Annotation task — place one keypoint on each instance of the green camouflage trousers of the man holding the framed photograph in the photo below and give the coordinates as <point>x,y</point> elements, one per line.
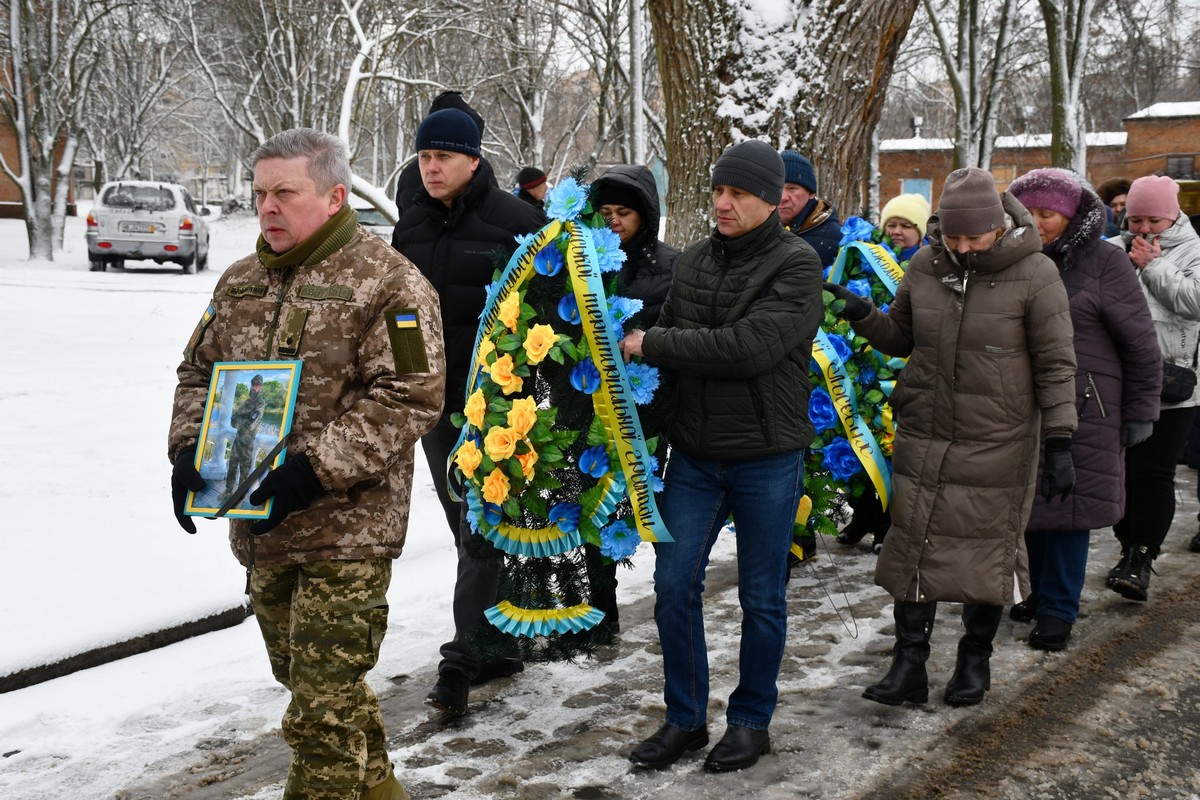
<point>323,624</point>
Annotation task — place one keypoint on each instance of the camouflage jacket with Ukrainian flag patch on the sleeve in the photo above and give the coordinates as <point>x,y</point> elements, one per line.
<point>359,410</point>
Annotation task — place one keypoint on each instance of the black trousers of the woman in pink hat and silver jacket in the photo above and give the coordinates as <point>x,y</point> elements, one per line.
<point>1150,482</point>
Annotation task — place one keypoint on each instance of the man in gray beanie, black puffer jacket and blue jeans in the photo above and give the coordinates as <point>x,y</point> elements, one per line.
<point>736,332</point>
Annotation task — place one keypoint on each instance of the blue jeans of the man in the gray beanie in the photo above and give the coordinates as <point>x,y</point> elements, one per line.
<point>763,495</point>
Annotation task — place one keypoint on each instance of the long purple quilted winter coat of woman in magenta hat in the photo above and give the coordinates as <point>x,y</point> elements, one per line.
<point>1120,369</point>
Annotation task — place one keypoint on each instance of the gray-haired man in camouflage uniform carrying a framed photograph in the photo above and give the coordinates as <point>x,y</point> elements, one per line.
<point>367,327</point>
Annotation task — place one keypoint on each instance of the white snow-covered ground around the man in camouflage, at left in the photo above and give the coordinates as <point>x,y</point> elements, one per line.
<point>92,554</point>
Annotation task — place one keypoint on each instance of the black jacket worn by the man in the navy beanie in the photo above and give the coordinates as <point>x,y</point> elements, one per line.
<point>458,250</point>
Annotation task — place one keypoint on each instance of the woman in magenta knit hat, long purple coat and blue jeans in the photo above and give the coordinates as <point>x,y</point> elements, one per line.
<point>1117,394</point>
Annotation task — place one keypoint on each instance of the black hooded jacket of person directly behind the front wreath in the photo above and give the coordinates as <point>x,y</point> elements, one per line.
<point>650,263</point>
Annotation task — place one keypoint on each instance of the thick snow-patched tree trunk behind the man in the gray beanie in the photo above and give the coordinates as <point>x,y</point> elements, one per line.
<point>811,76</point>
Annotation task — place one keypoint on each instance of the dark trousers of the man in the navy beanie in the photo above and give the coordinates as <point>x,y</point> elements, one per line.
<point>478,584</point>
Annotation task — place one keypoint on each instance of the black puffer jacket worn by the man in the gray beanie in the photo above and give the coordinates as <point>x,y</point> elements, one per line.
<point>737,332</point>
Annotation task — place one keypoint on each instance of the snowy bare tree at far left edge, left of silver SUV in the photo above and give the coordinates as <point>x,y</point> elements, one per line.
<point>50,56</point>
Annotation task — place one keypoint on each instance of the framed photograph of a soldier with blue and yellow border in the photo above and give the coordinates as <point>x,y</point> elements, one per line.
<point>248,417</point>
